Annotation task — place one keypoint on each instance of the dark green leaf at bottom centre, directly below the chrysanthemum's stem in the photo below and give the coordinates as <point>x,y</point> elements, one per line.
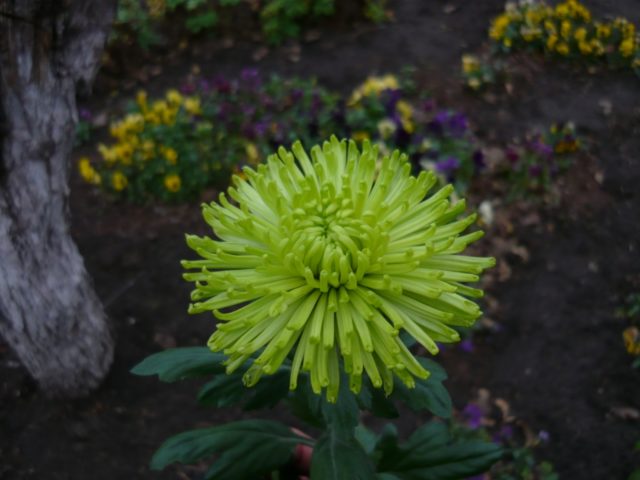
<point>338,456</point>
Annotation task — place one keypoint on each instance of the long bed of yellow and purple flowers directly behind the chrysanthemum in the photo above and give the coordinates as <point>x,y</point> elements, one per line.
<point>162,147</point>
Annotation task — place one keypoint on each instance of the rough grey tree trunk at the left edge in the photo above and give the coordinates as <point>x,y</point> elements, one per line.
<point>49,312</point>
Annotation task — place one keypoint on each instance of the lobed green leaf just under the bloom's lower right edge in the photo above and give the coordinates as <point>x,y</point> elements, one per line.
<point>429,394</point>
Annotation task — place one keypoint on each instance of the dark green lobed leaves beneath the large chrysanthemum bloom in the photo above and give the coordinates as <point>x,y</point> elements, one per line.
<point>345,449</point>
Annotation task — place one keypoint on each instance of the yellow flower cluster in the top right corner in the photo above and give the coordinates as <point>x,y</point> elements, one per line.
<point>567,30</point>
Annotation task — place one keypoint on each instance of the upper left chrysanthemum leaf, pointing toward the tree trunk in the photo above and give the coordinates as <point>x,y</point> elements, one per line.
<point>180,363</point>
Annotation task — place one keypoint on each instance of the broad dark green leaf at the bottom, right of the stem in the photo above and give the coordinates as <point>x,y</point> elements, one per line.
<point>431,454</point>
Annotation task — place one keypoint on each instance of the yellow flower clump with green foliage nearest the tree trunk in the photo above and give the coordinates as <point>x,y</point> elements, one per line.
<point>161,149</point>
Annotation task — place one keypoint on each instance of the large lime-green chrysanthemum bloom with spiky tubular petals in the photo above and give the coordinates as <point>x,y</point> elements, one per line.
<point>333,256</point>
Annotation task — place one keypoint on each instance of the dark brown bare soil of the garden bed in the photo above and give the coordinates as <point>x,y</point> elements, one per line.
<point>558,358</point>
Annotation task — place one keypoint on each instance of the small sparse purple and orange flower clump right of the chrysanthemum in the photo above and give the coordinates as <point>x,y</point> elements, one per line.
<point>533,164</point>
